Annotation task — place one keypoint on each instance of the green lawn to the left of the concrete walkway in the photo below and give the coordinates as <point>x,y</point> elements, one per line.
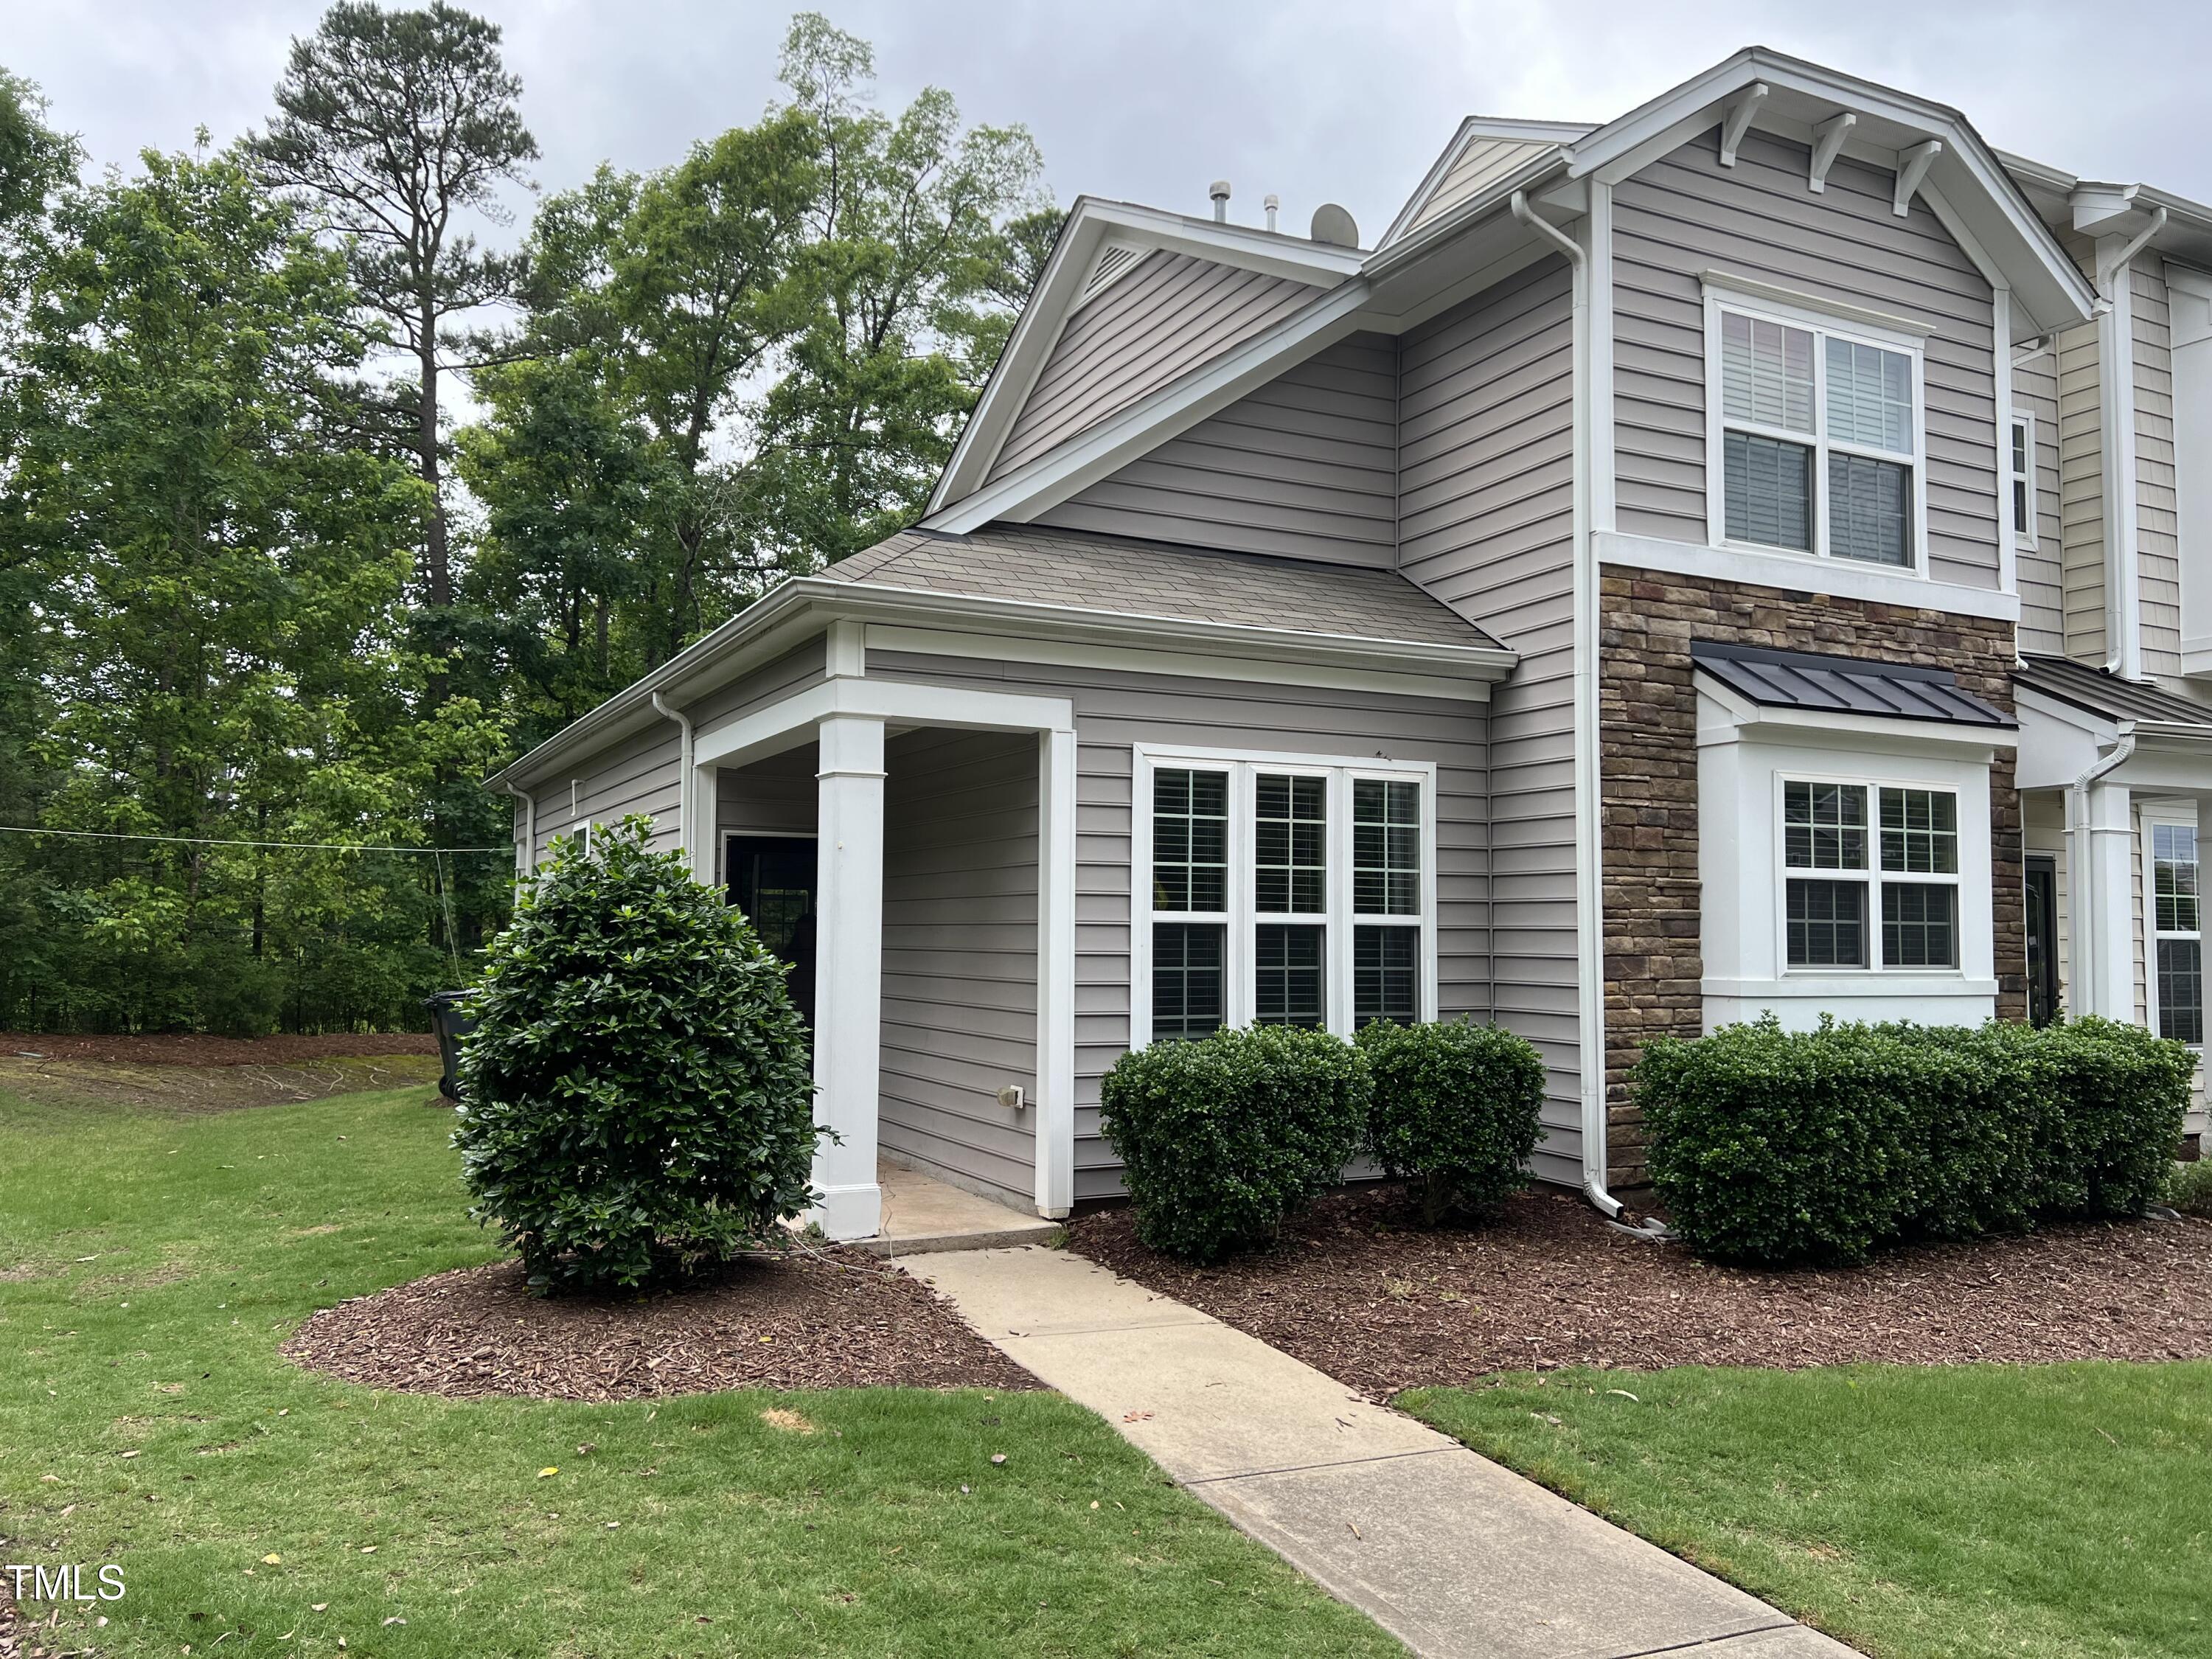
<point>149,1269</point>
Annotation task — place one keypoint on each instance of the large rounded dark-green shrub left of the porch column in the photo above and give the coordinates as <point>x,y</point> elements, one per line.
<point>638,1092</point>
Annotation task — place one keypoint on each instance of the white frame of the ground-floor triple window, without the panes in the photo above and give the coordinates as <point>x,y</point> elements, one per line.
<point>1242,917</point>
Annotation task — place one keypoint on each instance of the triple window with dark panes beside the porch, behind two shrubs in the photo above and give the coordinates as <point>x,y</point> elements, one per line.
<point>1282,893</point>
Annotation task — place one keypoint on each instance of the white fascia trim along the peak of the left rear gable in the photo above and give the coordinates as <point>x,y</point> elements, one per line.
<point>1061,293</point>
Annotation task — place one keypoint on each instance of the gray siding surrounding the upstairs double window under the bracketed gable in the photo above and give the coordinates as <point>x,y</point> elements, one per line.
<point>1684,216</point>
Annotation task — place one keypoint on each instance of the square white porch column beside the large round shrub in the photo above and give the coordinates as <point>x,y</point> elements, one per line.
<point>848,974</point>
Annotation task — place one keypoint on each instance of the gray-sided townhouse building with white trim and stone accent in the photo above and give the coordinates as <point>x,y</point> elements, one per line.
<point>1744,556</point>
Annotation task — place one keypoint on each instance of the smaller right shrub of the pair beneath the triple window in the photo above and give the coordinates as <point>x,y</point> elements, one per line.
<point>1454,1112</point>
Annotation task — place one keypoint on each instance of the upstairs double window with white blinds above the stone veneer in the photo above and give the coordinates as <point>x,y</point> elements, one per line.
<point>1815,435</point>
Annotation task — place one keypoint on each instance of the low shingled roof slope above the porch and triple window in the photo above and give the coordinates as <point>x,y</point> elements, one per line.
<point>1147,581</point>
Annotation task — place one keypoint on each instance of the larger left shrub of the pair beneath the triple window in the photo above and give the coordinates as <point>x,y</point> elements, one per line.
<point>1227,1136</point>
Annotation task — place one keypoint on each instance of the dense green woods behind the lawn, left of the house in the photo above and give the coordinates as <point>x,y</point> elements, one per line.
<point>264,583</point>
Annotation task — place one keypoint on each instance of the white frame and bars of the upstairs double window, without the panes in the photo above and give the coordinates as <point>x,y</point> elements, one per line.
<point>1822,441</point>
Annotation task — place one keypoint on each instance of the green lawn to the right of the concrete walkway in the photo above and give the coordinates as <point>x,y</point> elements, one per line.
<point>1912,1512</point>
